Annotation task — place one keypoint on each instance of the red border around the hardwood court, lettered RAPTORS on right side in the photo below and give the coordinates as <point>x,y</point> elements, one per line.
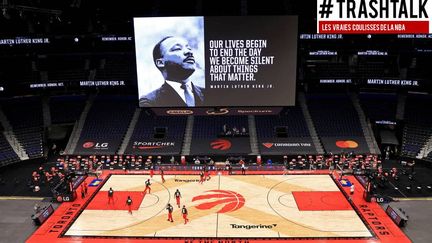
<point>372,213</point>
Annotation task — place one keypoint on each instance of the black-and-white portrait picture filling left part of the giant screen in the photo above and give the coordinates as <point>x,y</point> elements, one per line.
<point>179,60</point>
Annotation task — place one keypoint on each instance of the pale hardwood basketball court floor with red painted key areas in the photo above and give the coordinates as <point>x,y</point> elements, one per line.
<point>252,206</point>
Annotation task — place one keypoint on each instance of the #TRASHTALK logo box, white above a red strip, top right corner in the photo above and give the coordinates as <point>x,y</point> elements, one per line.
<point>374,16</point>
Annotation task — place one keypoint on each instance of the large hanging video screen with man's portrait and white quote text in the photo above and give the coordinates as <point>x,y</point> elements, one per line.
<point>216,61</point>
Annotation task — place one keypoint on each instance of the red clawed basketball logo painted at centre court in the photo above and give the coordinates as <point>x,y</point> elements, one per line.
<point>231,201</point>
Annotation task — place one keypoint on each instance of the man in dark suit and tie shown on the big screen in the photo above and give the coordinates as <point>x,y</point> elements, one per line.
<point>175,59</point>
